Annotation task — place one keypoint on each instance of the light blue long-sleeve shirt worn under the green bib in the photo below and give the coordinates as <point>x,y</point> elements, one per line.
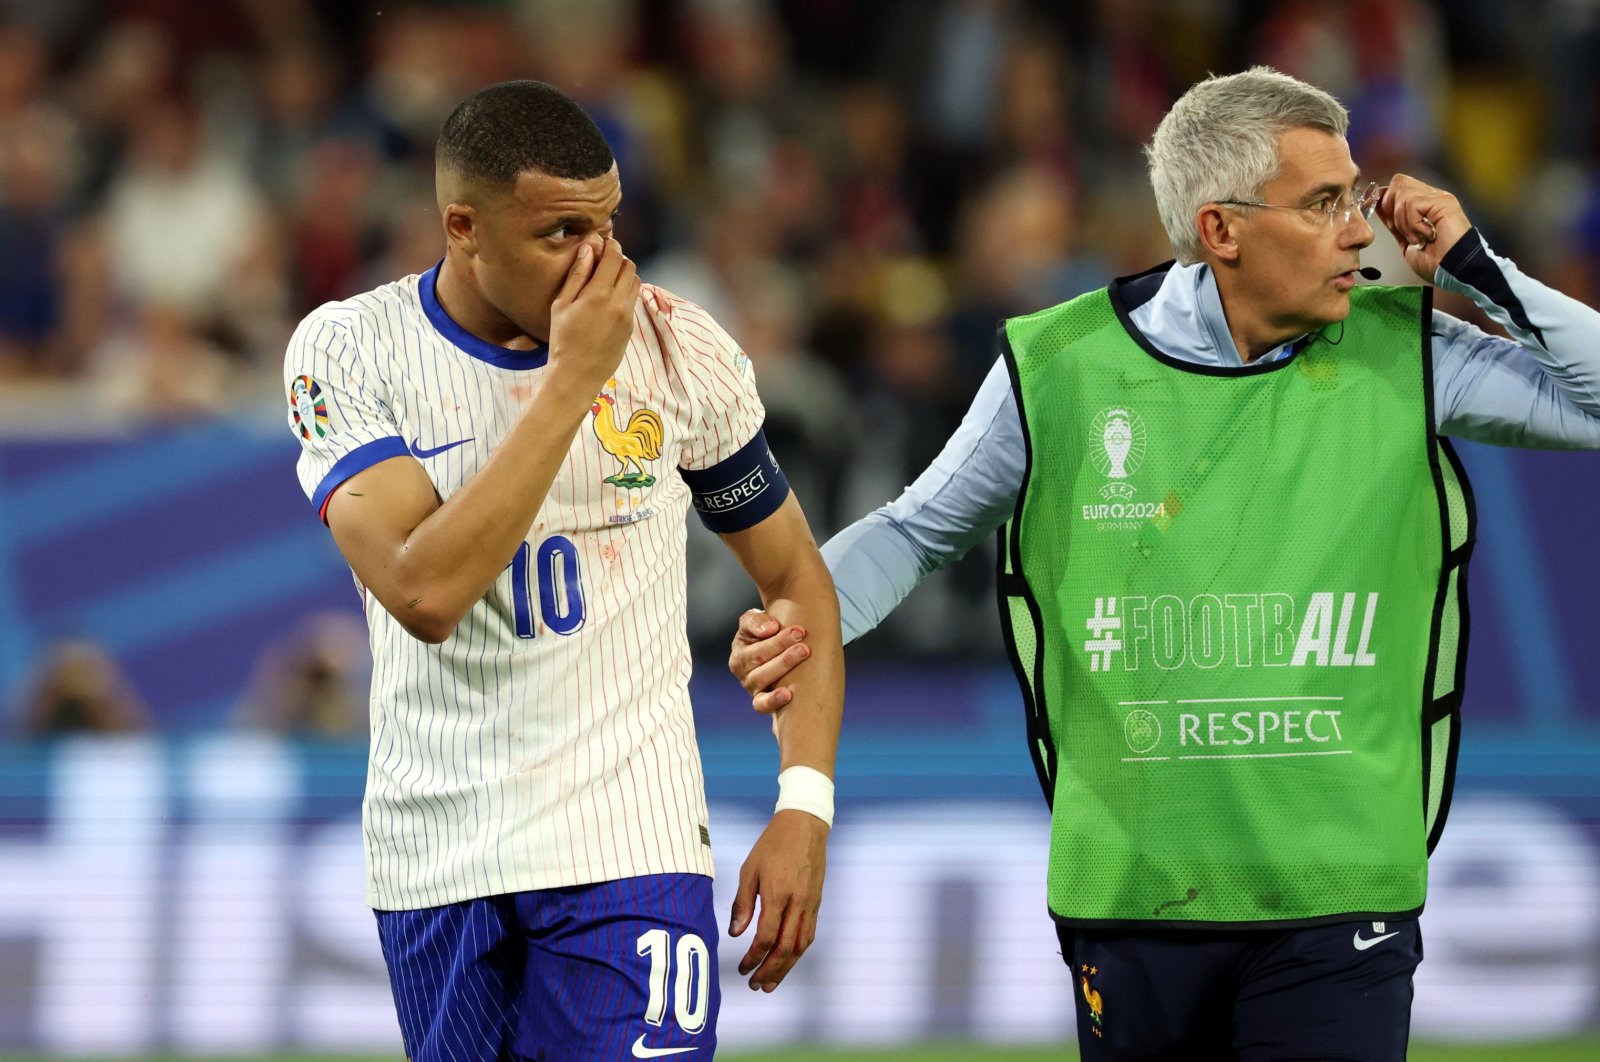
<point>1542,391</point>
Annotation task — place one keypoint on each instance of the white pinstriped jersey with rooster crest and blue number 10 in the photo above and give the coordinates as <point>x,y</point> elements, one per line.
<point>550,740</point>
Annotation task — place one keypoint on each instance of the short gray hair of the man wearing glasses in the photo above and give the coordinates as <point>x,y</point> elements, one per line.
<point>1220,142</point>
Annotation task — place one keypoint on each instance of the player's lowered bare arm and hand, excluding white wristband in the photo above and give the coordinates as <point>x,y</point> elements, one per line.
<point>782,880</point>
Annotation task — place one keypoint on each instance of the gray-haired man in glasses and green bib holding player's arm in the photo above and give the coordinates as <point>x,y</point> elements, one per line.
<point>1233,578</point>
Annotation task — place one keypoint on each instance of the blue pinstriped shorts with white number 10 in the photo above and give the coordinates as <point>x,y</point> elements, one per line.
<point>577,975</point>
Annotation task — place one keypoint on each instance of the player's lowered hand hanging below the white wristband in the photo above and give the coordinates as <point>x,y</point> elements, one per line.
<point>785,872</point>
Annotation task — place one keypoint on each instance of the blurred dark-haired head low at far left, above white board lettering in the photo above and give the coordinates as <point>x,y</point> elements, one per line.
<point>81,690</point>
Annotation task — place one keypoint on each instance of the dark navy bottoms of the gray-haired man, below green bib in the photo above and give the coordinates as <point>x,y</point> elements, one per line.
<point>1340,992</point>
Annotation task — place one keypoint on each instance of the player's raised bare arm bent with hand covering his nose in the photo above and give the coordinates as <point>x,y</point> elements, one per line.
<point>430,562</point>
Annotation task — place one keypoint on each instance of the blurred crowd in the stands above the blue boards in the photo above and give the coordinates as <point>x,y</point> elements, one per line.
<point>858,191</point>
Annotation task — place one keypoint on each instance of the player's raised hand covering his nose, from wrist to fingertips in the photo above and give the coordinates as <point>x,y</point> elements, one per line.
<point>593,316</point>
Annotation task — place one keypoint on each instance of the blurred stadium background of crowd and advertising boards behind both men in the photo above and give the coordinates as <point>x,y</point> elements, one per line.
<point>858,191</point>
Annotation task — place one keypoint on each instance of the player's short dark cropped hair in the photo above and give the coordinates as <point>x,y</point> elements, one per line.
<point>508,129</point>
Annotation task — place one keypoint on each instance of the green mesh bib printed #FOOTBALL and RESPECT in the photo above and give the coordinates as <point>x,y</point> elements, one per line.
<point>1236,580</point>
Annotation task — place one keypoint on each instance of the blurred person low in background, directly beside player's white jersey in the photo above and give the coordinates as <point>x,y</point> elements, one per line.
<point>313,682</point>
